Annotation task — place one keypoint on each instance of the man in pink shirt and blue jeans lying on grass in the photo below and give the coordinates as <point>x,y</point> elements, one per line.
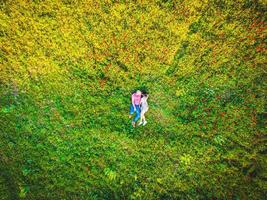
<point>135,106</point>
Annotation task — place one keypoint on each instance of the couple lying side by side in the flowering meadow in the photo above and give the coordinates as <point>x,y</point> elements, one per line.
<point>140,106</point>
